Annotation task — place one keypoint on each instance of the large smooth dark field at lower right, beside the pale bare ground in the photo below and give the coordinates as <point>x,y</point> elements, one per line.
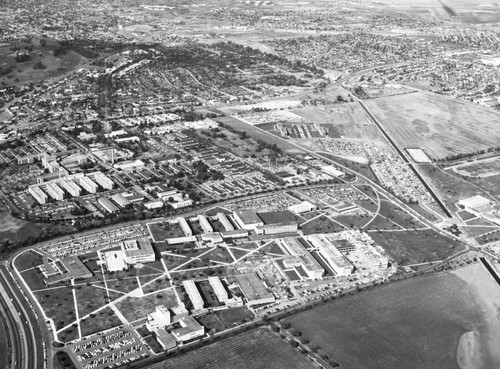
<point>412,324</point>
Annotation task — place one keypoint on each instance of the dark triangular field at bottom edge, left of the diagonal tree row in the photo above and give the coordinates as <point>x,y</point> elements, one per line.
<point>257,349</point>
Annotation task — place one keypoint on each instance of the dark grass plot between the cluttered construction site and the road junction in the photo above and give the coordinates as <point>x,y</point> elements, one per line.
<point>411,247</point>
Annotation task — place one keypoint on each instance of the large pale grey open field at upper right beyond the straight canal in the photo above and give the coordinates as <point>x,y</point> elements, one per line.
<point>440,125</point>
